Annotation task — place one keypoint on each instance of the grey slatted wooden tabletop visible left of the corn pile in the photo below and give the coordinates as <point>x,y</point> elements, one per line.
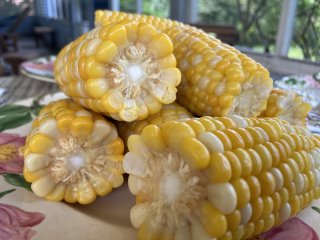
<point>22,87</point>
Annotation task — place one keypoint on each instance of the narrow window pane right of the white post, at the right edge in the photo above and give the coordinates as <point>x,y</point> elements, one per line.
<point>305,43</point>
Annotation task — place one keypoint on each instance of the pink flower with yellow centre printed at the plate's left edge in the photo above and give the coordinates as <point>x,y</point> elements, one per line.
<point>10,159</point>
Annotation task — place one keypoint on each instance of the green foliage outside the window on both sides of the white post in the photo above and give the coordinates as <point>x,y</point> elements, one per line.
<point>257,23</point>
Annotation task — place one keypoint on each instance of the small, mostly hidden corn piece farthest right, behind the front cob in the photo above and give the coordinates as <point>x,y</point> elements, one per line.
<point>288,106</point>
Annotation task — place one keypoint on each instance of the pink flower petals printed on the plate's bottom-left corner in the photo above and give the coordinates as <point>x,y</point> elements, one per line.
<point>15,224</point>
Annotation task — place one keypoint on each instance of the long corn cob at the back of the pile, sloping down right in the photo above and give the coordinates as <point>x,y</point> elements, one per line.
<point>217,79</point>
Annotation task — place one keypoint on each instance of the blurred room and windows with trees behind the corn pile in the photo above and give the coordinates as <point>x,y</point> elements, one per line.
<point>284,35</point>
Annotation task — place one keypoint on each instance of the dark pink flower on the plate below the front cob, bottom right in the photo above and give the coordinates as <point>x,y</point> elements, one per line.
<point>292,229</point>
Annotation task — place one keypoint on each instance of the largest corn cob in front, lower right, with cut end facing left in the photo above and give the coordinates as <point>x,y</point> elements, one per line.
<point>220,178</point>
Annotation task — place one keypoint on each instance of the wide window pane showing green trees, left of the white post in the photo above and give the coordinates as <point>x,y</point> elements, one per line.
<point>256,21</point>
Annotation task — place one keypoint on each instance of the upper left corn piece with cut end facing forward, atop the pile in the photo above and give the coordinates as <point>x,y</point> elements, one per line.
<point>125,70</point>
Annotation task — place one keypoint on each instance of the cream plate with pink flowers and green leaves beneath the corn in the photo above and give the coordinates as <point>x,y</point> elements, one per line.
<point>106,218</point>
